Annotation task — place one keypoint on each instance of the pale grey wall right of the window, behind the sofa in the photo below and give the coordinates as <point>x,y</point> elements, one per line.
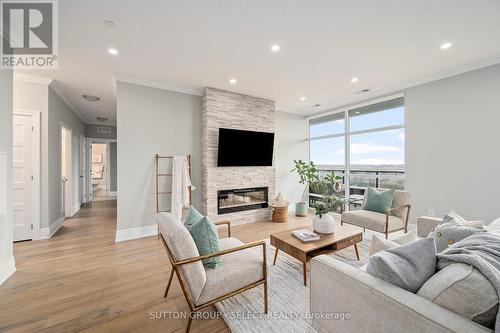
<point>452,145</point>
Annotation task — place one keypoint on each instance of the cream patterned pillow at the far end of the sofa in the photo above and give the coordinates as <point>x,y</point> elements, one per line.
<point>450,231</point>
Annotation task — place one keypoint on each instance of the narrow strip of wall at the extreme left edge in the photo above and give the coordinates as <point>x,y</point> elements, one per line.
<point>6,253</point>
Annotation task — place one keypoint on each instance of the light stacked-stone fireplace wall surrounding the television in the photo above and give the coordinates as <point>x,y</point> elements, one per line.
<point>224,109</point>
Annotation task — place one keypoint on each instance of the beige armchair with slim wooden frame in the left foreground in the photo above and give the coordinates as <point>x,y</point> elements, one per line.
<point>241,267</point>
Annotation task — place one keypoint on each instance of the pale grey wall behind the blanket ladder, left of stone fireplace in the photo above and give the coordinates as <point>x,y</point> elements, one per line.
<point>170,124</point>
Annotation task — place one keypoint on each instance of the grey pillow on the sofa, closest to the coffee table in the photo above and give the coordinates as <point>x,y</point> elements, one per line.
<point>407,266</point>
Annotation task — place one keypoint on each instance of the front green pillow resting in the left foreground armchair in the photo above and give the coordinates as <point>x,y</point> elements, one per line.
<point>204,234</point>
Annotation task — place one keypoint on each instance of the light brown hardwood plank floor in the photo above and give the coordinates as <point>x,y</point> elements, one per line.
<point>80,280</point>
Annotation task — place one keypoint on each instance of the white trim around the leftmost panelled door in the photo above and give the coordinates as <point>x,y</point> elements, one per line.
<point>36,234</point>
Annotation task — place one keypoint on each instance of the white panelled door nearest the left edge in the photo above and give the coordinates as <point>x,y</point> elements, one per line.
<point>22,175</point>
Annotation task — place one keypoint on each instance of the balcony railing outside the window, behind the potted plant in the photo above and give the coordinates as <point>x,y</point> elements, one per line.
<point>359,181</point>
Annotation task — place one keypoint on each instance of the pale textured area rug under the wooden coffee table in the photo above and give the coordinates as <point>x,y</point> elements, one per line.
<point>288,297</point>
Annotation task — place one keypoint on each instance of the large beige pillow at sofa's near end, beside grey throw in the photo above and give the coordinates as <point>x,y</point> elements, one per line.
<point>464,290</point>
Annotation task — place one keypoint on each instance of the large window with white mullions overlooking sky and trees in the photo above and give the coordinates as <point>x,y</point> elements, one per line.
<point>363,145</point>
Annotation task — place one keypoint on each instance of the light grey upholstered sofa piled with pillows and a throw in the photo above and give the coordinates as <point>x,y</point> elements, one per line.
<point>374,305</point>
